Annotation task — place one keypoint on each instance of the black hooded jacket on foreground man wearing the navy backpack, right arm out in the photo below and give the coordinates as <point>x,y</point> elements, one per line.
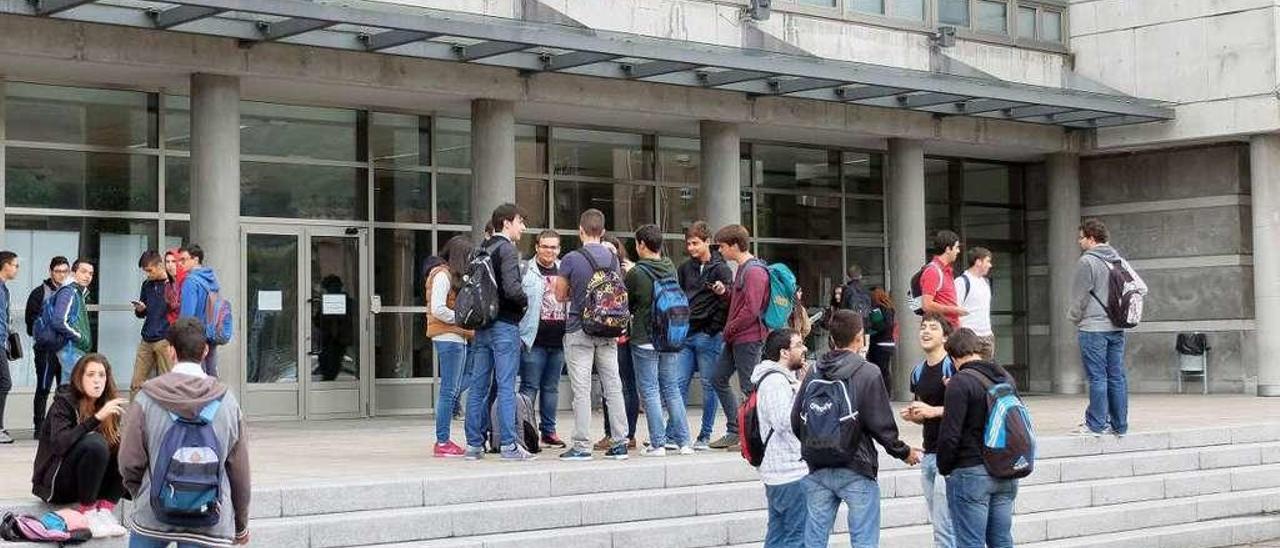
<point>875,413</point>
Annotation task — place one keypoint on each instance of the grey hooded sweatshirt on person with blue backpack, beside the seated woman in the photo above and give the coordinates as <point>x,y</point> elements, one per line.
<point>145,426</point>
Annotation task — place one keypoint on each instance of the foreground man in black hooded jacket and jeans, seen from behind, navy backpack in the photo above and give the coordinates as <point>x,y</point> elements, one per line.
<point>854,482</point>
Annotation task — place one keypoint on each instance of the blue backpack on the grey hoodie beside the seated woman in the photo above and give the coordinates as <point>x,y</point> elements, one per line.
<point>188,477</point>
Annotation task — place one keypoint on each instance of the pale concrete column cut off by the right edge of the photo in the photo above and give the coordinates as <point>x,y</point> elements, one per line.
<point>1265,179</point>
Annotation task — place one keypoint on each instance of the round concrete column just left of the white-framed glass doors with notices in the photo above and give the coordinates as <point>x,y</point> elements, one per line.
<point>216,198</point>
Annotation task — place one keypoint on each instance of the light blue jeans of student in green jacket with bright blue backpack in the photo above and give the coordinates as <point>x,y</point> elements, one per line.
<point>659,382</point>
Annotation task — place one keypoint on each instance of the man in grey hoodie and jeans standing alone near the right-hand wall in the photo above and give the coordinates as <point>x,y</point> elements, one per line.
<point>1101,341</point>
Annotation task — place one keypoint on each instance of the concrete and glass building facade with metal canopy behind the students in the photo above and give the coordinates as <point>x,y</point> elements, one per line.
<point>322,159</point>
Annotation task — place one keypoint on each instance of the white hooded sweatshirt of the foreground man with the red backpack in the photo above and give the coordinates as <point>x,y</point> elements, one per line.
<point>776,390</point>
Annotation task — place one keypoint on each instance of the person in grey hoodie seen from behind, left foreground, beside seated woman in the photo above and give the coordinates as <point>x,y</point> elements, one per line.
<point>186,391</point>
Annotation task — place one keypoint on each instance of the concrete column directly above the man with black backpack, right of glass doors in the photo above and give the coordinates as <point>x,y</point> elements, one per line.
<point>493,159</point>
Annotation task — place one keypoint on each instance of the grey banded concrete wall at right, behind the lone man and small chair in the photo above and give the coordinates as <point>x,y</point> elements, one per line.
<point>1182,217</point>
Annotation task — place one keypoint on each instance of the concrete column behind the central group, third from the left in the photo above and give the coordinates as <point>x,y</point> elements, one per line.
<point>720,200</point>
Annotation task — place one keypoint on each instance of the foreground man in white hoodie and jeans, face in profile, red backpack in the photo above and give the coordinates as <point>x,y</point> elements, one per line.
<point>781,471</point>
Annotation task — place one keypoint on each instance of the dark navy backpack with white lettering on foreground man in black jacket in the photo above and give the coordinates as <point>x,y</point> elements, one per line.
<point>829,415</point>
